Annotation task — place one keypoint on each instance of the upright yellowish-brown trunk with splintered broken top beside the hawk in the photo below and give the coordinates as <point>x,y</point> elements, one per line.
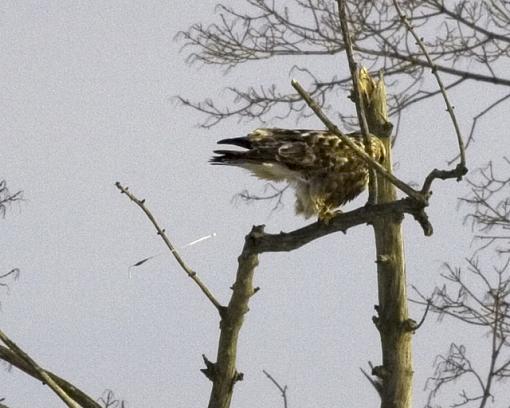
<point>395,329</point>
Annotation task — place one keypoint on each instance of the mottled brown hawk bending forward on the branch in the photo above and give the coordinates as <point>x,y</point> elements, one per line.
<point>322,169</point>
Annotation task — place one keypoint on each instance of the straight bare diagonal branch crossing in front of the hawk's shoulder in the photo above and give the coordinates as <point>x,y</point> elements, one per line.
<point>360,152</point>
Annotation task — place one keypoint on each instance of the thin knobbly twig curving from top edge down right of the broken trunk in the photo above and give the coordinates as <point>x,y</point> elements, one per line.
<point>461,167</point>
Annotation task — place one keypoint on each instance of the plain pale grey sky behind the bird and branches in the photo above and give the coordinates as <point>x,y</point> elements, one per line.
<point>87,100</point>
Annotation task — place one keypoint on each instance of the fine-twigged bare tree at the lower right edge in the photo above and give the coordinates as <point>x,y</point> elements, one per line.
<point>478,295</point>
